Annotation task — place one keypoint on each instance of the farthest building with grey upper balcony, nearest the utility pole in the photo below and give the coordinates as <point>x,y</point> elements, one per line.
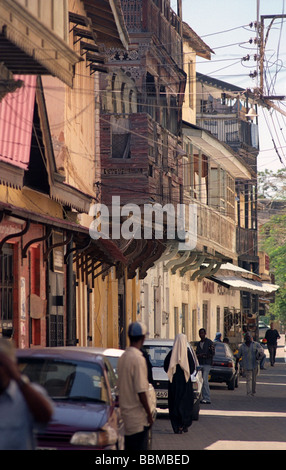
<point>230,113</point>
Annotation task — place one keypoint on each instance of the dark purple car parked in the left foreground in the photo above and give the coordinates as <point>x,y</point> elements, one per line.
<point>83,387</point>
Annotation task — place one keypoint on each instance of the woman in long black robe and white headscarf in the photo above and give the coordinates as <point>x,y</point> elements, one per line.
<point>179,364</point>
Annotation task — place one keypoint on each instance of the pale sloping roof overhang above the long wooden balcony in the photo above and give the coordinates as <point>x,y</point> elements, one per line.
<point>220,152</point>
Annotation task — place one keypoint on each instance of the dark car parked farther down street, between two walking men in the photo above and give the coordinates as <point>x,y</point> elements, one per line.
<point>224,367</point>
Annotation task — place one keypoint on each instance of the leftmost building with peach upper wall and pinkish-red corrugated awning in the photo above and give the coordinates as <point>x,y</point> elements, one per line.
<point>50,267</point>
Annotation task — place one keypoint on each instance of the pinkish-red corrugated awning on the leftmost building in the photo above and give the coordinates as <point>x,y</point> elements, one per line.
<point>16,121</point>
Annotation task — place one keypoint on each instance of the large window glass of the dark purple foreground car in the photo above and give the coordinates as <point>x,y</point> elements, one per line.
<point>67,379</point>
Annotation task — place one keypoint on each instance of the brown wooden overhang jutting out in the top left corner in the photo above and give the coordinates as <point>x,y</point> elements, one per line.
<point>30,47</point>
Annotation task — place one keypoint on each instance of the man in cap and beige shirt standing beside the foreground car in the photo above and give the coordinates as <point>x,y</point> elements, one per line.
<point>133,390</point>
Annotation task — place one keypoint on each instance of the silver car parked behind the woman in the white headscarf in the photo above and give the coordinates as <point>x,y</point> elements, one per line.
<point>157,349</point>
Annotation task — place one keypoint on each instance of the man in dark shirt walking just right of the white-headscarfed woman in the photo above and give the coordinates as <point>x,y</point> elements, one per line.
<point>205,352</point>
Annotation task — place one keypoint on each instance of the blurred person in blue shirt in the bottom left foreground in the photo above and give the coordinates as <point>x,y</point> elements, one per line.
<point>24,406</point>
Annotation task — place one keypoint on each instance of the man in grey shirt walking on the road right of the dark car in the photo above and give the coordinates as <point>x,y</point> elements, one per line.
<point>251,354</point>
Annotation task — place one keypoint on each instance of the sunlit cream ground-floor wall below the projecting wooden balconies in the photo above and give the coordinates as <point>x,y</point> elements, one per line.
<point>171,304</point>
